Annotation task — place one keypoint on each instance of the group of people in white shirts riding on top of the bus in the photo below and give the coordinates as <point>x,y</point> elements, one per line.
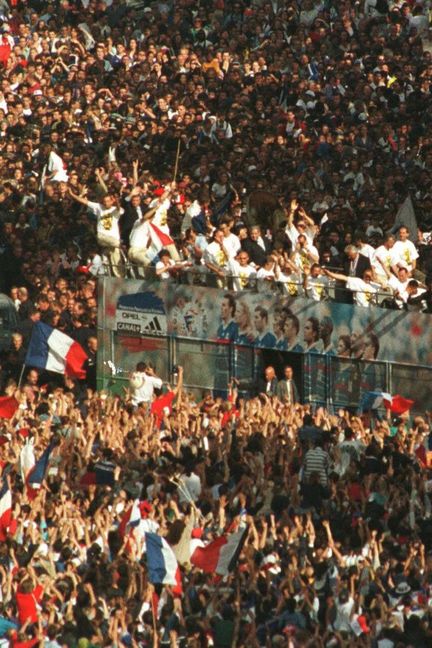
<point>370,273</point>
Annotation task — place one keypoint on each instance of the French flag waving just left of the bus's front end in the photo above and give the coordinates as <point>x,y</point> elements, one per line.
<point>52,350</point>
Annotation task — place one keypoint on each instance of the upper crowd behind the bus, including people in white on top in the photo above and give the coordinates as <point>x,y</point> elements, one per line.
<point>131,127</point>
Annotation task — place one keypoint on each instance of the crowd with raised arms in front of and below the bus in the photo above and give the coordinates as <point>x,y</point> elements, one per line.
<point>336,509</point>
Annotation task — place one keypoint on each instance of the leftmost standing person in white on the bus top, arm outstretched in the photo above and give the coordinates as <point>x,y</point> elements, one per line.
<point>108,231</point>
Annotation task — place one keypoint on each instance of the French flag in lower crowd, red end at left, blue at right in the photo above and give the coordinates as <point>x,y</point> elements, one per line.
<point>221,555</point>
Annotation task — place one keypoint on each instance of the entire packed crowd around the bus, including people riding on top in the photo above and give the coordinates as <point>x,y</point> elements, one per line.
<point>236,144</point>
